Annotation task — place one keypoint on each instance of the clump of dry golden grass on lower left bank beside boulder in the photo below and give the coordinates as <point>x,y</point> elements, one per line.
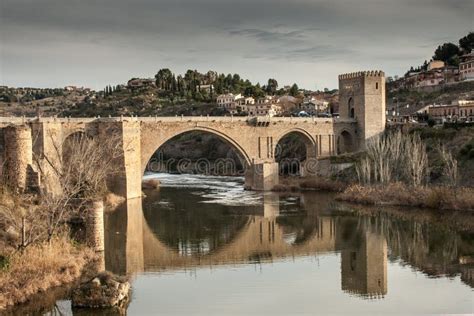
<point>41,267</point>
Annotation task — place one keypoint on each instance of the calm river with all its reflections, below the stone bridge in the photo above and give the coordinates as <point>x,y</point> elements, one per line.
<point>202,245</point>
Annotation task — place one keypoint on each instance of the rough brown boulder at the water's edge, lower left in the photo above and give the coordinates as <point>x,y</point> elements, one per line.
<point>103,291</point>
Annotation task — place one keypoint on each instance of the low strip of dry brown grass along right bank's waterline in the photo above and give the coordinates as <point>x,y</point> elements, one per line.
<point>443,198</point>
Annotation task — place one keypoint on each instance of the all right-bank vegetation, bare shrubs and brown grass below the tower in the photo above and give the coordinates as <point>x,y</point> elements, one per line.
<point>423,167</point>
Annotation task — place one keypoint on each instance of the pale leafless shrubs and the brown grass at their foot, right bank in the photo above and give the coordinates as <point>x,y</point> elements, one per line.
<point>409,170</point>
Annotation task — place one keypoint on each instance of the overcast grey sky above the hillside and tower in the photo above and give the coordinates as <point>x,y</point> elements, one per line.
<point>53,43</point>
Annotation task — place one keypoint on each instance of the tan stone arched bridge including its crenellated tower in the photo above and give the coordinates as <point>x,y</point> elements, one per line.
<point>255,139</point>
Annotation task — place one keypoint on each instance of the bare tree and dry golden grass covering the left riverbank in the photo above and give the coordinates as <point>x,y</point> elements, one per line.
<point>40,247</point>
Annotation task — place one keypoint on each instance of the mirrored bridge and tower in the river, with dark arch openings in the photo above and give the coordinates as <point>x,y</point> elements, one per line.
<point>185,234</point>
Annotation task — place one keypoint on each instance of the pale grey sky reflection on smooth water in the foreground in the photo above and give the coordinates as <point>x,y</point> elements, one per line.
<point>305,285</point>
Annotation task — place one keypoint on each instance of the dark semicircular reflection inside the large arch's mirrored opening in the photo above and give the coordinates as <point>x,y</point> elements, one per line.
<point>191,227</point>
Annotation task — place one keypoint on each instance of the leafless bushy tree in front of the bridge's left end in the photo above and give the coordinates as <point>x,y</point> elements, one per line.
<point>80,166</point>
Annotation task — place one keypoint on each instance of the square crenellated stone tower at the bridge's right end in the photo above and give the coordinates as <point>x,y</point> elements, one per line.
<point>362,97</point>
